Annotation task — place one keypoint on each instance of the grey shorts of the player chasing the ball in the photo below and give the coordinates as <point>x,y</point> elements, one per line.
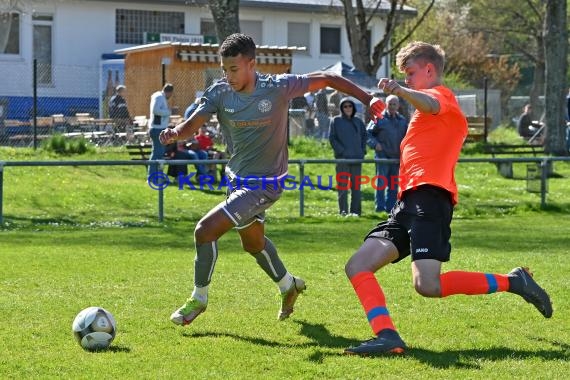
<point>246,202</point>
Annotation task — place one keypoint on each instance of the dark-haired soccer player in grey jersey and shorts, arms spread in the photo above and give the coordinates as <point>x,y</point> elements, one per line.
<point>252,110</point>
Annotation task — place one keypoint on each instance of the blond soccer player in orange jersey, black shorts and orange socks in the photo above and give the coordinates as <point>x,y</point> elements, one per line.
<point>419,224</point>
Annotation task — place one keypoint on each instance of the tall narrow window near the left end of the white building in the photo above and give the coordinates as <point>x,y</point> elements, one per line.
<point>42,33</point>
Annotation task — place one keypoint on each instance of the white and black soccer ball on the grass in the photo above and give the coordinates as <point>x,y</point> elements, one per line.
<point>94,328</point>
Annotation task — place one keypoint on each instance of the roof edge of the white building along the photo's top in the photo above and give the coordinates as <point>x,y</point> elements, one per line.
<point>321,6</point>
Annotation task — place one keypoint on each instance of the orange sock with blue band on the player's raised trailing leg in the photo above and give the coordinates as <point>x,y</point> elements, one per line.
<point>471,283</point>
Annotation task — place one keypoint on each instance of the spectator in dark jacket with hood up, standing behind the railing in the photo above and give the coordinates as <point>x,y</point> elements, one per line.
<point>347,136</point>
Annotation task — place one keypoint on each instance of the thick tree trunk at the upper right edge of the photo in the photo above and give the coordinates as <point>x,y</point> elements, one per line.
<point>556,50</point>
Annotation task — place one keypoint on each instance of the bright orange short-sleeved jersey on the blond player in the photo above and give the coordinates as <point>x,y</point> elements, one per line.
<point>430,149</point>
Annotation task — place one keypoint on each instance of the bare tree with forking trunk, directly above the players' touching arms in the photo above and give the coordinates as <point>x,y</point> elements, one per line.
<point>357,21</point>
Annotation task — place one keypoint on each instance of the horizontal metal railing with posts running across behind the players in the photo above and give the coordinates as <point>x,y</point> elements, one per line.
<point>543,162</point>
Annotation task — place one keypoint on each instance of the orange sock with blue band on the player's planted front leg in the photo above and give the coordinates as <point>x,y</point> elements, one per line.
<point>373,301</point>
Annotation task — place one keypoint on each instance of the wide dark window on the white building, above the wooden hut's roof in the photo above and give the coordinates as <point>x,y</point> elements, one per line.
<point>130,24</point>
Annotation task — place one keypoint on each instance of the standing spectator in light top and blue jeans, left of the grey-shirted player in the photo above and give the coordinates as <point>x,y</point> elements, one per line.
<point>159,118</point>
